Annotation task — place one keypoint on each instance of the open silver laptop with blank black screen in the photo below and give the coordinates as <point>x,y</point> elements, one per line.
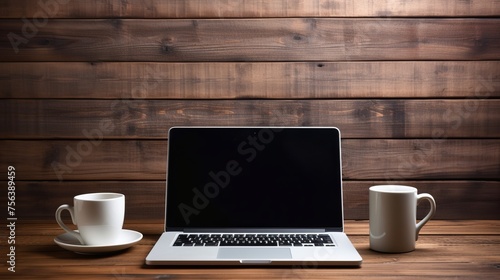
<point>254,196</point>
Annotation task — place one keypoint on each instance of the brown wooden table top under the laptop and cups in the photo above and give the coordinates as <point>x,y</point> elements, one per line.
<point>446,249</point>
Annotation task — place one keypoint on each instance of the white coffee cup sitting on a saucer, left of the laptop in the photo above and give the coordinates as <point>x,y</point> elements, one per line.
<point>98,216</point>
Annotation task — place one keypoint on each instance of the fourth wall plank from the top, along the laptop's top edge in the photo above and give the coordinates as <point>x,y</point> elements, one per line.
<point>475,117</point>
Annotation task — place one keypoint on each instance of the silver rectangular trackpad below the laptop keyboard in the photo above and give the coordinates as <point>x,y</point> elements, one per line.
<point>254,253</point>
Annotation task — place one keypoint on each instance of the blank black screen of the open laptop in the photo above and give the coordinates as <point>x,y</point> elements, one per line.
<point>257,177</point>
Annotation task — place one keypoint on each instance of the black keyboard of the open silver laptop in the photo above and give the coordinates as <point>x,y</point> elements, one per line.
<point>254,240</point>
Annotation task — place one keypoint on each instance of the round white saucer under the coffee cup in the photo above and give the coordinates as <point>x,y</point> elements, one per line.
<point>127,239</point>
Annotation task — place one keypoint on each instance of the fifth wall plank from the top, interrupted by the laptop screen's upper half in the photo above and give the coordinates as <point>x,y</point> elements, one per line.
<point>424,159</point>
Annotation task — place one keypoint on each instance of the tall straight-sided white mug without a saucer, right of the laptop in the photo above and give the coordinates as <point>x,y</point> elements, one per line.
<point>393,216</point>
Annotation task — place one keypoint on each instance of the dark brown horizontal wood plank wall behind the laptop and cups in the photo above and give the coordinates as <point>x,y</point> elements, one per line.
<point>88,90</point>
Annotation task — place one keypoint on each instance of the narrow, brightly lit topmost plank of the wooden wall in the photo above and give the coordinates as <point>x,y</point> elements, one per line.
<point>241,8</point>
